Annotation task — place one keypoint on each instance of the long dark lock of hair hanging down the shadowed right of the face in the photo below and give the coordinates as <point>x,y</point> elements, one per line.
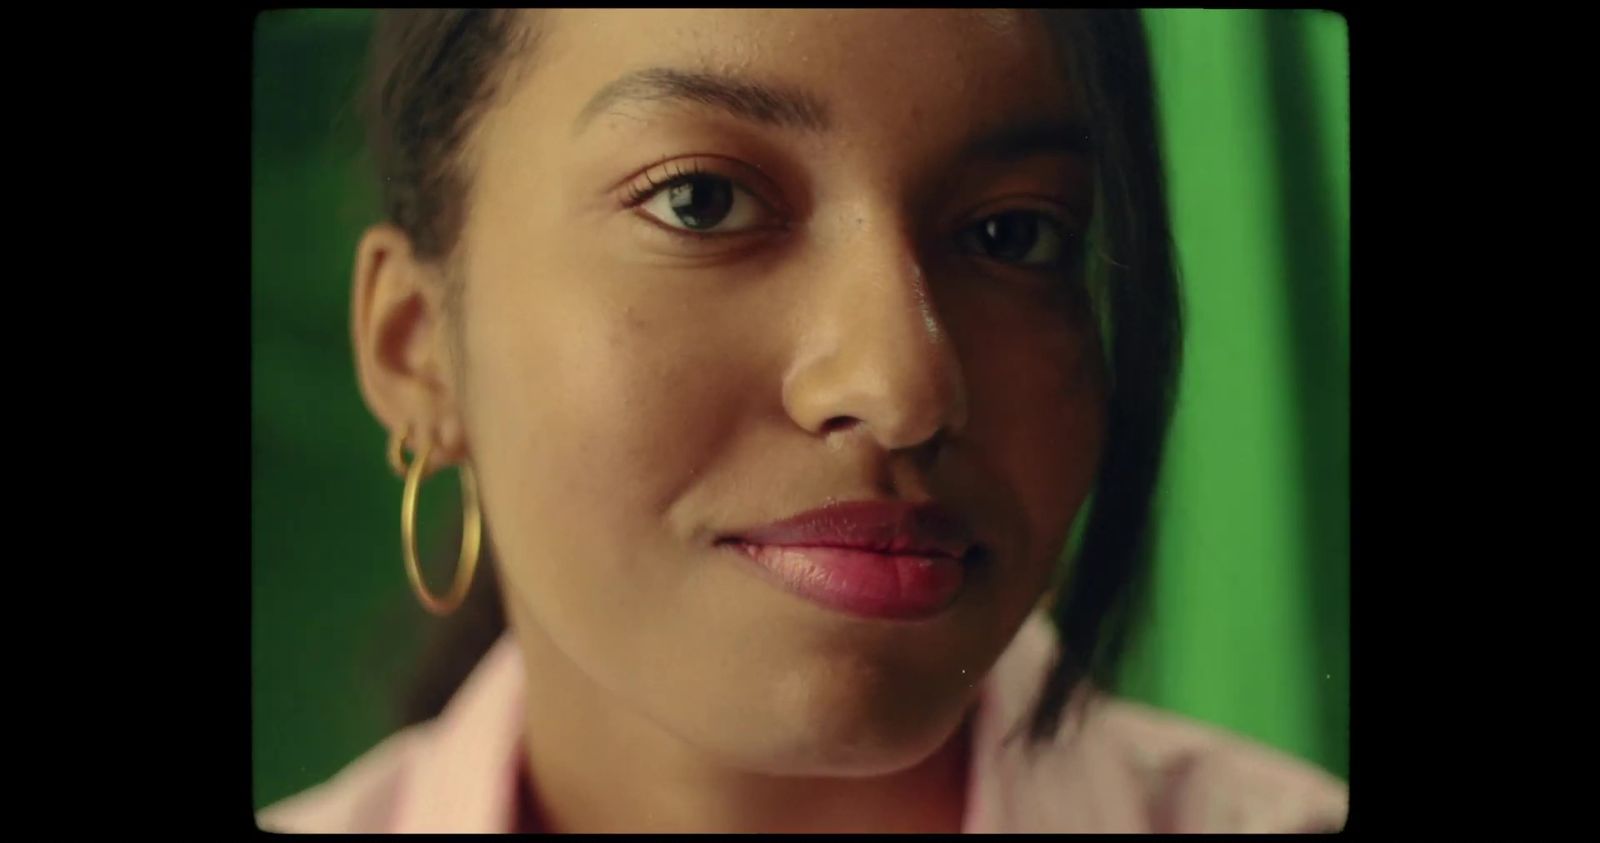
<point>1110,66</point>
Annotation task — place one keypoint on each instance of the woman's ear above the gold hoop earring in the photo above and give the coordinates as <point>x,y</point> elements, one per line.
<point>401,332</point>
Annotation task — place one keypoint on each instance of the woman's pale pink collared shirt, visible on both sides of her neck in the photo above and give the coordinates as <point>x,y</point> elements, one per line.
<point>1119,767</point>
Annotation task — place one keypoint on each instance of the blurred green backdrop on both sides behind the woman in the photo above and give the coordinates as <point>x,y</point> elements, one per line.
<point>1249,623</point>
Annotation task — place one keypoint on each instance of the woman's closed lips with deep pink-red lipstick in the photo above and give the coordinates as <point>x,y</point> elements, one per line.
<point>874,559</point>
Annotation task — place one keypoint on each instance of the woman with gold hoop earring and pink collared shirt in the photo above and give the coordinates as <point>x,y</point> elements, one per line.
<point>782,353</point>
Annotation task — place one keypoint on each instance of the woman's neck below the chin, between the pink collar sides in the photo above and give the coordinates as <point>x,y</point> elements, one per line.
<point>596,769</point>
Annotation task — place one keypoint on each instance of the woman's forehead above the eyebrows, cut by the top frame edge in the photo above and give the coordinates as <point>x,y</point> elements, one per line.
<point>865,66</point>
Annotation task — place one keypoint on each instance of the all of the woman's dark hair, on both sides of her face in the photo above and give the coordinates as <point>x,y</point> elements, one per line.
<point>431,76</point>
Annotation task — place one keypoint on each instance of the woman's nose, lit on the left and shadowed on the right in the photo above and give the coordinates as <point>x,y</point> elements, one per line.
<point>874,353</point>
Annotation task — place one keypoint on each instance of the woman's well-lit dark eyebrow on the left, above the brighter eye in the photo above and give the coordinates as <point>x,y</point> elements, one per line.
<point>742,98</point>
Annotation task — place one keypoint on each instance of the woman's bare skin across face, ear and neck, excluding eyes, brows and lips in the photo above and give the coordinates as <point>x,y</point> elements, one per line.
<point>628,396</point>
